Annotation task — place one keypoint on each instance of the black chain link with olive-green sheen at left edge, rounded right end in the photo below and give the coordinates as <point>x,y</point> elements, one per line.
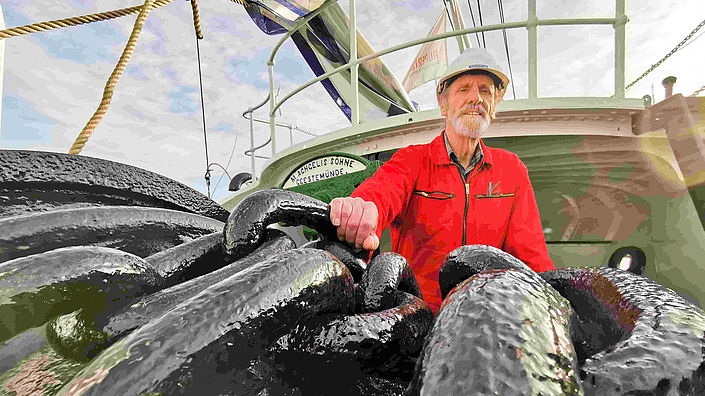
<point>36,288</point>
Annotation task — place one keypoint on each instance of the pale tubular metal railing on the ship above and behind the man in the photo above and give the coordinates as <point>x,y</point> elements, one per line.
<point>531,24</point>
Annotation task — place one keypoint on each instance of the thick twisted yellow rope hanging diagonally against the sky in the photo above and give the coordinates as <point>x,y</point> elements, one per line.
<point>112,81</point>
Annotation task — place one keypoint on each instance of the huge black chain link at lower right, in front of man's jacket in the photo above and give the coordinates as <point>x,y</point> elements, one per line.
<point>591,331</point>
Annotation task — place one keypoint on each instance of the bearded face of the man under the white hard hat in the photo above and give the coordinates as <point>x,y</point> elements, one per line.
<point>470,105</point>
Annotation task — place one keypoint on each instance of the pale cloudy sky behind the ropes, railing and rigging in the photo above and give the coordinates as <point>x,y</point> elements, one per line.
<point>53,81</point>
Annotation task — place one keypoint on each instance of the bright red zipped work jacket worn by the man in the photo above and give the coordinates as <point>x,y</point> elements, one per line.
<point>431,210</point>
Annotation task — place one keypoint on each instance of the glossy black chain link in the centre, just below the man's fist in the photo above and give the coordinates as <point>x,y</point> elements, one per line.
<point>377,345</point>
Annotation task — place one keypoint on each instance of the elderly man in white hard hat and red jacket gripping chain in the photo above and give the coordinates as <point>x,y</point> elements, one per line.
<point>453,191</point>
